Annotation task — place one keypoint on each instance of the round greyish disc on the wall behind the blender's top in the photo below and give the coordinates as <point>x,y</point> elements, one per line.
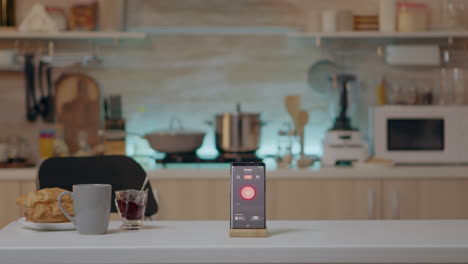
<point>318,76</point>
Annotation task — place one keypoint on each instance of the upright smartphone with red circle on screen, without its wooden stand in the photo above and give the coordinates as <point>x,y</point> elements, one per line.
<point>248,195</point>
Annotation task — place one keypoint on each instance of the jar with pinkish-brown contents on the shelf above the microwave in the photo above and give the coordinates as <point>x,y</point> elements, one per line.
<point>412,17</point>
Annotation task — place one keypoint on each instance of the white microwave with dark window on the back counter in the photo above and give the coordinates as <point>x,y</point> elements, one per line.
<point>421,134</point>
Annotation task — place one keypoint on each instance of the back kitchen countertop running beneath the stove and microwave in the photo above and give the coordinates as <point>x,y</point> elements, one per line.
<point>207,172</point>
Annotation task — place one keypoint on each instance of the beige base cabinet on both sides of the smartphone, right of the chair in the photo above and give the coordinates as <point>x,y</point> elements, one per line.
<point>285,199</point>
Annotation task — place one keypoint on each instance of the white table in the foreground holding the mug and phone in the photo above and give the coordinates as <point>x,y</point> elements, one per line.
<point>208,242</point>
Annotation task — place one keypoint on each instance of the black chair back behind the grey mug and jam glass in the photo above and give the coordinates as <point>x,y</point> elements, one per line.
<point>119,171</point>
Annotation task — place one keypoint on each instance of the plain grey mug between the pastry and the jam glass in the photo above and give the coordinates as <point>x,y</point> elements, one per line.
<point>92,204</point>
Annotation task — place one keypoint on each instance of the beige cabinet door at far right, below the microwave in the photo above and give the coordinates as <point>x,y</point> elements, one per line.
<point>426,199</point>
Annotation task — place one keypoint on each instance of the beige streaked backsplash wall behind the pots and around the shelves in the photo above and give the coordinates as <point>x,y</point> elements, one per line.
<point>194,77</point>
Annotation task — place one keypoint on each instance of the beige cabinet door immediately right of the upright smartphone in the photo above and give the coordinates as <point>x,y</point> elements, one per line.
<point>324,199</point>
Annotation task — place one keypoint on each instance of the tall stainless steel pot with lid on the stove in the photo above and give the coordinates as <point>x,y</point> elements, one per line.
<point>238,132</point>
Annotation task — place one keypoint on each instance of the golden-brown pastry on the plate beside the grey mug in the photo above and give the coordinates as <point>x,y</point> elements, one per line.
<point>42,206</point>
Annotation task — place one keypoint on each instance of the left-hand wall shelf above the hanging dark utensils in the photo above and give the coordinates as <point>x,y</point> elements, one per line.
<point>71,35</point>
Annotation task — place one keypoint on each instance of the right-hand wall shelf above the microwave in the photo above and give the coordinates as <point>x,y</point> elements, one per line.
<point>382,35</point>
